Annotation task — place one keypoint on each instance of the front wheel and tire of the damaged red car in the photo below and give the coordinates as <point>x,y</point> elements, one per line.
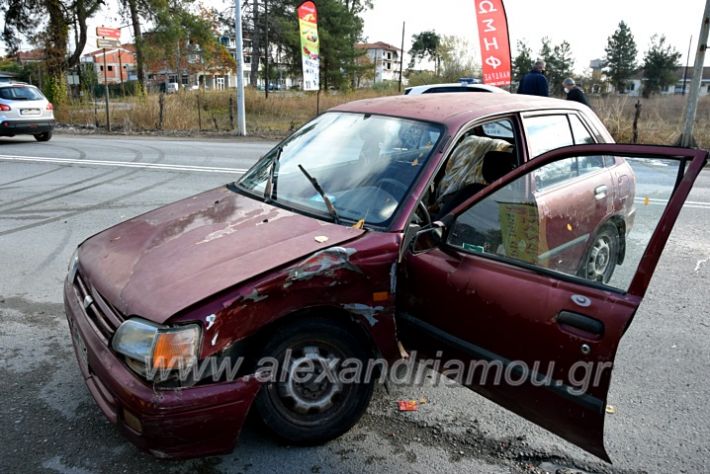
<point>314,411</point>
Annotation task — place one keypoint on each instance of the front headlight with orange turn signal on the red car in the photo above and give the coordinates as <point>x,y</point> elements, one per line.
<point>158,347</point>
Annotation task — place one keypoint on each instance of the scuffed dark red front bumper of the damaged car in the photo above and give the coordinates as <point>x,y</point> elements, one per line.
<point>186,422</point>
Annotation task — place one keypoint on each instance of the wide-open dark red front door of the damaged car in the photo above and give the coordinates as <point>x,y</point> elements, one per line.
<point>514,294</point>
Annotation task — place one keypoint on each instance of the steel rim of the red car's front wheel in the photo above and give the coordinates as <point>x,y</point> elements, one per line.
<point>312,385</point>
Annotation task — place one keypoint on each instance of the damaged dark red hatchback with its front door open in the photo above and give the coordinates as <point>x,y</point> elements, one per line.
<point>503,235</point>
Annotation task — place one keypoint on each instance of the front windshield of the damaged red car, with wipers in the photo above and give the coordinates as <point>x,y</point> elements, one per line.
<point>345,167</point>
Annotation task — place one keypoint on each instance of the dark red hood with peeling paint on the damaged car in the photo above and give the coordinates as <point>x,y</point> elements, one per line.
<point>161,262</point>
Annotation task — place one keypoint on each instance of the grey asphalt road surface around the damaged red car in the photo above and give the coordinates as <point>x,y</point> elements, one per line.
<point>53,195</point>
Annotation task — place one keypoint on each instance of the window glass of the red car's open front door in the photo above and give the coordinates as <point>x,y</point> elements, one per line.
<point>570,233</point>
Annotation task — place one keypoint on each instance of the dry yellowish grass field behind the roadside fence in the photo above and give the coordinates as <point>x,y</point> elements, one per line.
<point>659,123</point>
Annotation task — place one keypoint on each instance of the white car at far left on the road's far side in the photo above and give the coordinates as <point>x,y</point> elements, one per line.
<point>24,110</point>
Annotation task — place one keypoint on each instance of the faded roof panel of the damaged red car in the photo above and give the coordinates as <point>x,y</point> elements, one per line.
<point>453,110</point>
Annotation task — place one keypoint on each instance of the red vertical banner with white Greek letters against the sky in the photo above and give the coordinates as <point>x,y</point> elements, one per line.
<point>495,45</point>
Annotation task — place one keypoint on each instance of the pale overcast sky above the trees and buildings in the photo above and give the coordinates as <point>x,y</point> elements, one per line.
<point>586,25</point>
